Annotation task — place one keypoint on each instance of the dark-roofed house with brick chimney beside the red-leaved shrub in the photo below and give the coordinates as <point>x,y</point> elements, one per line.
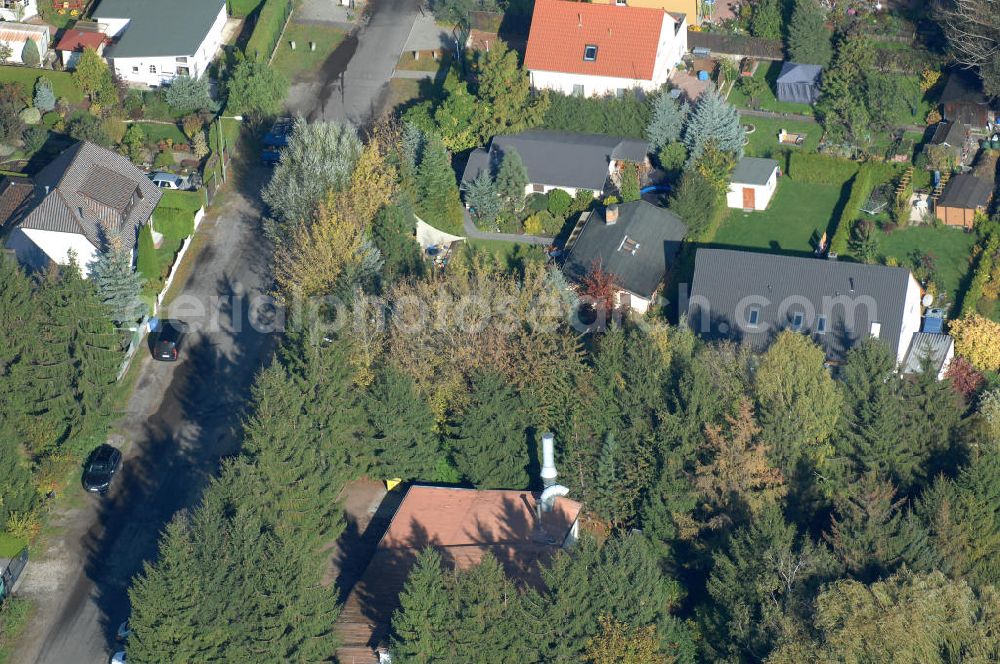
<point>635,241</point>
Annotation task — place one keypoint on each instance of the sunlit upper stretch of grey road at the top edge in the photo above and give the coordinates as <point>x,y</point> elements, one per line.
<point>353,84</point>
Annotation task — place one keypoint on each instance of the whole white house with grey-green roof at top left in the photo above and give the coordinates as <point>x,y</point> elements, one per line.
<point>156,42</point>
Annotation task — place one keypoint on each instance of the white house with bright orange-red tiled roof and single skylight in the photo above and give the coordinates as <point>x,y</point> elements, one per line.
<point>589,49</point>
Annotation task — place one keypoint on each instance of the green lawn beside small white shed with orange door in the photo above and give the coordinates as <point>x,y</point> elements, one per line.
<point>799,213</point>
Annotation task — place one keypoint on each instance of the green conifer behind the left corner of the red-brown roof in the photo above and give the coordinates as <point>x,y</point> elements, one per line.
<point>401,437</point>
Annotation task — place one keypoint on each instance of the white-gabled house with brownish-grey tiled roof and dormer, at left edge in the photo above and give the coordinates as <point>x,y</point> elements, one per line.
<point>84,195</point>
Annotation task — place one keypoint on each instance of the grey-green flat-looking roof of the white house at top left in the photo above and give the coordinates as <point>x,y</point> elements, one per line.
<point>157,28</point>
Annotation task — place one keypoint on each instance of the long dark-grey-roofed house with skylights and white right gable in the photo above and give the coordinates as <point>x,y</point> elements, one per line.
<point>750,297</point>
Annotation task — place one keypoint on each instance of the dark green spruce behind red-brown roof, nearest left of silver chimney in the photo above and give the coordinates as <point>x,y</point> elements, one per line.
<point>489,441</point>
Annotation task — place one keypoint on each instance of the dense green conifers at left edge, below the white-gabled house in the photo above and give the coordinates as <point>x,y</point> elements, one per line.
<point>59,354</point>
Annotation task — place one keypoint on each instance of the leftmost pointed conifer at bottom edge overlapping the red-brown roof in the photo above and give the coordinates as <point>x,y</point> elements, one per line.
<point>425,615</point>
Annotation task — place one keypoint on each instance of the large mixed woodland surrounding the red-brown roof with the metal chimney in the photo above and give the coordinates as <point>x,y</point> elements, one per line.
<point>787,513</point>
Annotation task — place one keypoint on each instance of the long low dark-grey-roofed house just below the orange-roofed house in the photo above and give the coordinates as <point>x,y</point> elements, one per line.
<point>558,159</point>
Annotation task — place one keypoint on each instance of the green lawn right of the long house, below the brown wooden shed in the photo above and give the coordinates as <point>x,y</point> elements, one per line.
<point>951,248</point>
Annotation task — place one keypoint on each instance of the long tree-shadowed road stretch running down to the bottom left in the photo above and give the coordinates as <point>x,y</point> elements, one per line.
<point>179,423</point>
